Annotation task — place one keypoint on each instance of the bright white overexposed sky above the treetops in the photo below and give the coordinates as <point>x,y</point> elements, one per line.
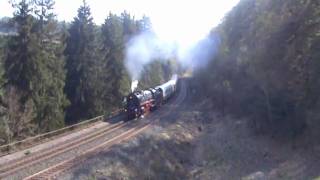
<point>183,21</point>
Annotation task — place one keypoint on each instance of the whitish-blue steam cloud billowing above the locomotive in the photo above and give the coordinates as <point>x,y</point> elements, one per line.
<point>146,47</point>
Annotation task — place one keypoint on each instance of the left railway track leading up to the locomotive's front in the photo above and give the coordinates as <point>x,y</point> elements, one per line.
<point>14,166</point>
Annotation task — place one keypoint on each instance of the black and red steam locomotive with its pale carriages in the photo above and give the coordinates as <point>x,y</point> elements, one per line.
<point>144,101</point>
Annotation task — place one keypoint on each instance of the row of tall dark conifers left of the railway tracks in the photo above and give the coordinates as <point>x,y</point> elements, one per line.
<point>55,73</point>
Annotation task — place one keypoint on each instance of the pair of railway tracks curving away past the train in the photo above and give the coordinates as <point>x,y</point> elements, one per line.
<point>137,127</point>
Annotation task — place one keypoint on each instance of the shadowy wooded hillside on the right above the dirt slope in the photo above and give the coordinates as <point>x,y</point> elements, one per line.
<point>268,67</point>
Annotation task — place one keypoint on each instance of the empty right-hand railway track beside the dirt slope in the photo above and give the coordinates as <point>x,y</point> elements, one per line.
<point>52,172</point>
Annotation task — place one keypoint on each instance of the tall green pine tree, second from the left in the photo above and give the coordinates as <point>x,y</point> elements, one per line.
<point>50,100</point>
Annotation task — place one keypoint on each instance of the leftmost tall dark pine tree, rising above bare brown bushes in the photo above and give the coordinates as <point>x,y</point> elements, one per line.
<point>19,63</point>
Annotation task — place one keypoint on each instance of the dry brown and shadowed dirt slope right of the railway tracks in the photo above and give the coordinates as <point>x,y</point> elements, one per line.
<point>190,141</point>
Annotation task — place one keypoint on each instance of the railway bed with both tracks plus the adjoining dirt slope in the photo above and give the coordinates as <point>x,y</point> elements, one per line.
<point>184,139</point>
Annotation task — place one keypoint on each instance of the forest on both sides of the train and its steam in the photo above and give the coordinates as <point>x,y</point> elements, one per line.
<point>265,66</point>
